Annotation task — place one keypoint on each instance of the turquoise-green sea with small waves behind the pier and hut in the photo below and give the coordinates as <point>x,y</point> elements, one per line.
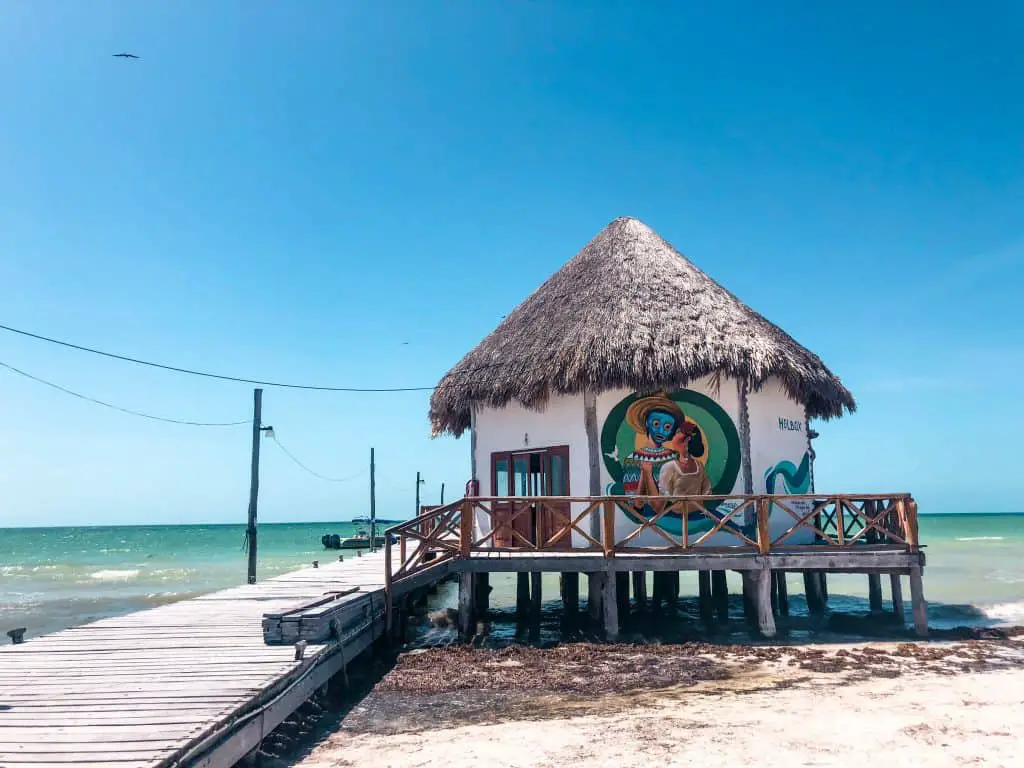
<point>52,579</point>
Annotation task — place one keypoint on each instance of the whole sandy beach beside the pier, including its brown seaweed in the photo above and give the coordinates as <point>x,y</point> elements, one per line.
<point>950,704</point>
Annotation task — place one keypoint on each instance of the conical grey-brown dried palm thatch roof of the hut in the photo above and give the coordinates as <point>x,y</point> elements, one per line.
<point>630,312</point>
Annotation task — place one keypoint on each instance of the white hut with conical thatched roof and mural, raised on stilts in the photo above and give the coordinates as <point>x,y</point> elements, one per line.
<point>634,408</point>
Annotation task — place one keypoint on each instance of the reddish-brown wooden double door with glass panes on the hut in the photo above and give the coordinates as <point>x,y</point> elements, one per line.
<point>532,474</point>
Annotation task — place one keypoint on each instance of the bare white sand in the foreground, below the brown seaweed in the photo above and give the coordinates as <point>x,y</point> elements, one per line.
<point>917,720</point>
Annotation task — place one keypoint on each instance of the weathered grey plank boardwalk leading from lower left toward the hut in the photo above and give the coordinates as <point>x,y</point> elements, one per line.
<point>190,684</point>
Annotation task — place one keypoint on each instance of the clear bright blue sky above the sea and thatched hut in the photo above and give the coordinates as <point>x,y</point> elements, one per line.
<point>356,193</point>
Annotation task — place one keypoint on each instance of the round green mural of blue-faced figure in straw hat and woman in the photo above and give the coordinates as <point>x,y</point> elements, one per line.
<point>679,444</point>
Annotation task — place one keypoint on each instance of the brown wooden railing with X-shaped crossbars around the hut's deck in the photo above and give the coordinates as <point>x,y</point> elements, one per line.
<point>609,526</point>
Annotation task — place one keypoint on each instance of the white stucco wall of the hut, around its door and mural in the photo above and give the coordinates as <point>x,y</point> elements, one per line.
<point>779,434</point>
